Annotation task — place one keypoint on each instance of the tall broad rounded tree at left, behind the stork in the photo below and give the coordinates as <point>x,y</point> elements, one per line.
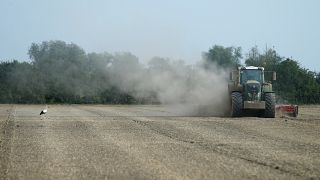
<point>61,70</point>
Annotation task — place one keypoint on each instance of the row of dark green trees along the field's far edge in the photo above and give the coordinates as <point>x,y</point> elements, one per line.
<point>64,73</point>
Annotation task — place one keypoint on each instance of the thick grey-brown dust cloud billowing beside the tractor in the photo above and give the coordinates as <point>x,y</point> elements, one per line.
<point>185,89</point>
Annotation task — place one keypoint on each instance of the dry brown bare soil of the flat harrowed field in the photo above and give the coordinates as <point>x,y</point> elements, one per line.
<point>154,142</point>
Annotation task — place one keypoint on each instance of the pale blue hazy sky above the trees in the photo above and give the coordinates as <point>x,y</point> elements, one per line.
<point>177,29</point>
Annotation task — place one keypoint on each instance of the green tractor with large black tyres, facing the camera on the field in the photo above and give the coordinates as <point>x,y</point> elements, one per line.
<point>249,92</point>
